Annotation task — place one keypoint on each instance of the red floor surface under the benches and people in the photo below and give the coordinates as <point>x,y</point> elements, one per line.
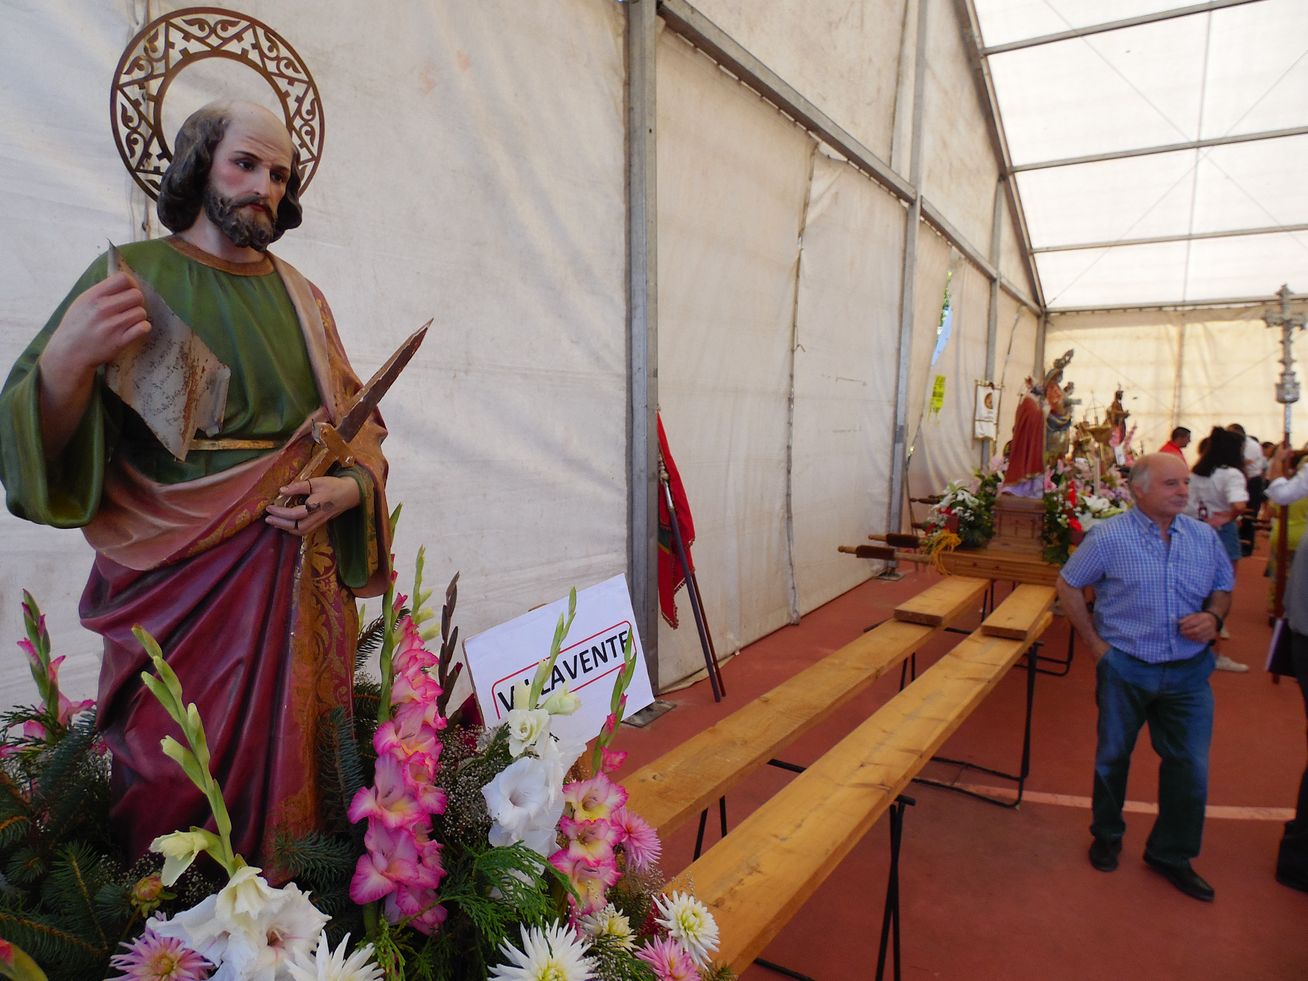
<point>990,893</point>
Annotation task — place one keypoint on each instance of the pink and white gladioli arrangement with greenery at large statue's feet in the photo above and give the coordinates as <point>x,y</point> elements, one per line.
<point>457,851</point>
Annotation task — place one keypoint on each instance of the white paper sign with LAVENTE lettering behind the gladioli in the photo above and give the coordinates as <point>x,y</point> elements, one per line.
<point>589,663</point>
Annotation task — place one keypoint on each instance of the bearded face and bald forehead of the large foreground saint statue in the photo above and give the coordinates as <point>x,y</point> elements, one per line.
<point>248,181</point>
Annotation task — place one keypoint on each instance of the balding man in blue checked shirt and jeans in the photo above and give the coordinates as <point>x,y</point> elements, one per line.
<point>1162,592</point>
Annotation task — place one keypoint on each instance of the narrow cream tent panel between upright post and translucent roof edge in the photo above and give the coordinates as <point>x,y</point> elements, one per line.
<point>959,168</point>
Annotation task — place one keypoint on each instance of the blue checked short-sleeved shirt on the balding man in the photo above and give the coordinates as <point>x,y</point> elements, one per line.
<point>1144,587</point>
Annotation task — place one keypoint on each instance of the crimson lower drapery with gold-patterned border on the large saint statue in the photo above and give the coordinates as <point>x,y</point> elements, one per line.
<point>227,618</point>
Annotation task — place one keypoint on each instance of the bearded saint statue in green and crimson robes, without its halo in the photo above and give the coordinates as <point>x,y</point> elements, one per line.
<point>253,604</point>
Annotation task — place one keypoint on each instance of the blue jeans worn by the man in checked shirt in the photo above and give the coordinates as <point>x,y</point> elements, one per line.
<point>1177,702</point>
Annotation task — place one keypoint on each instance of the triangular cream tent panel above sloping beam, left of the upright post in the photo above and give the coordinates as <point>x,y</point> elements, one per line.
<point>844,58</point>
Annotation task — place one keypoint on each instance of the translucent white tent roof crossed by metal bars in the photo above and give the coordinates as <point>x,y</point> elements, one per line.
<point>1213,75</point>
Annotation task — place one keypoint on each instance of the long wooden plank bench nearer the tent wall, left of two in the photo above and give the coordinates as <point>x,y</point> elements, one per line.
<point>690,778</point>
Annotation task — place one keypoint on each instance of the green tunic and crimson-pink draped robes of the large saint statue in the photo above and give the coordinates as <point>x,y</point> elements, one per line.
<point>258,625</point>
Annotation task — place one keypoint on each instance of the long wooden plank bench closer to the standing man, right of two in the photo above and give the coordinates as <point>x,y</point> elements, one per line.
<point>758,877</point>
